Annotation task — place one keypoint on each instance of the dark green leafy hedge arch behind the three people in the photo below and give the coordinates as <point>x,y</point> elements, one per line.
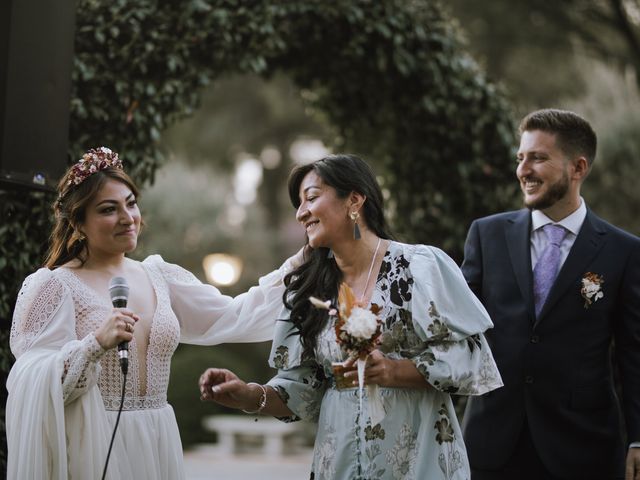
<point>388,75</point>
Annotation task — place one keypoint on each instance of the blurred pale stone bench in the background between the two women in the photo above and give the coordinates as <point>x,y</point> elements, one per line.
<point>236,433</point>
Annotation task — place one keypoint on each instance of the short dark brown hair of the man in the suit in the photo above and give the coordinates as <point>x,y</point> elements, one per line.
<point>574,135</point>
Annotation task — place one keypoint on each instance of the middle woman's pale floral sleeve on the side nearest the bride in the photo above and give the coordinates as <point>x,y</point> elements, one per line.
<point>300,382</point>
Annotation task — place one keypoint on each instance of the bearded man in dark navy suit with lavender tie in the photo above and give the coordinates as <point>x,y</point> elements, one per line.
<point>561,286</point>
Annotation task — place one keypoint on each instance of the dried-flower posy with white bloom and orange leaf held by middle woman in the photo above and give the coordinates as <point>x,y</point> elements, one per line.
<point>357,330</point>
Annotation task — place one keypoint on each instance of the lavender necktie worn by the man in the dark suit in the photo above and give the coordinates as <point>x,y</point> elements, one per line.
<point>546,270</point>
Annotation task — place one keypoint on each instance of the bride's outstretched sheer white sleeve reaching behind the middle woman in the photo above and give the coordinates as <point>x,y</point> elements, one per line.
<point>207,317</point>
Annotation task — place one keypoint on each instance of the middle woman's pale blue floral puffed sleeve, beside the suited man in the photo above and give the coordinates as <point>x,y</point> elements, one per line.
<point>449,318</point>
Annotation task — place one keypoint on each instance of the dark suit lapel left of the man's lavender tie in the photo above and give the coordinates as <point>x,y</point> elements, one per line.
<point>517,233</point>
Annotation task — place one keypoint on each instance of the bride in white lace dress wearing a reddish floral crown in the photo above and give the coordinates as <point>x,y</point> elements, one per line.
<point>65,387</point>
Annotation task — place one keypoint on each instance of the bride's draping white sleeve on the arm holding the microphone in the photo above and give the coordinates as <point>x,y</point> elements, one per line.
<point>55,422</point>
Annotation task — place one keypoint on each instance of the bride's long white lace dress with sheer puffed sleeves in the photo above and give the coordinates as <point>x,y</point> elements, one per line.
<point>64,389</point>
